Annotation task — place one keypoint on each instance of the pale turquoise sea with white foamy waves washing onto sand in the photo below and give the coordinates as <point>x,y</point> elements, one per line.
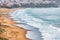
<point>43,23</point>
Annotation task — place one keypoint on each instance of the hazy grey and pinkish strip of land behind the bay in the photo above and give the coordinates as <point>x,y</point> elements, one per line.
<point>18,3</point>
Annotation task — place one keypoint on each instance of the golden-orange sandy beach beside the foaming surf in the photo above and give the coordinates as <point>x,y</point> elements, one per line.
<point>12,32</point>
